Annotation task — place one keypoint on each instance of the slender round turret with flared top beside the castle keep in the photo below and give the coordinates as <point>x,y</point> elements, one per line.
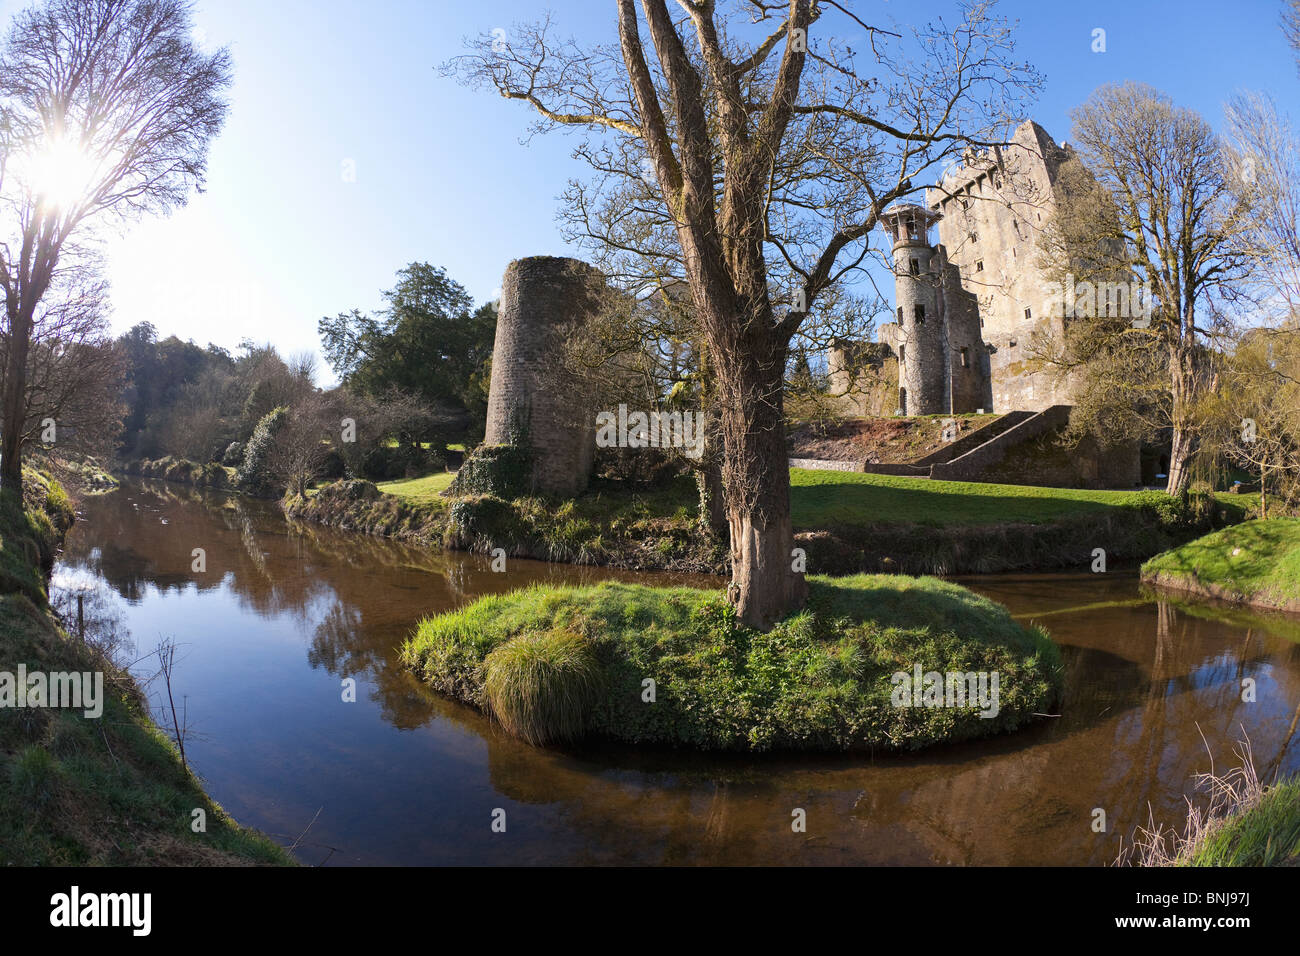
<point>921,340</point>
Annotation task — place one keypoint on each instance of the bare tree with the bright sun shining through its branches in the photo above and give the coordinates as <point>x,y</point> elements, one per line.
<point>107,110</point>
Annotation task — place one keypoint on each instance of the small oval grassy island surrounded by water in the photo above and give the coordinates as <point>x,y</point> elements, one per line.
<point>562,664</point>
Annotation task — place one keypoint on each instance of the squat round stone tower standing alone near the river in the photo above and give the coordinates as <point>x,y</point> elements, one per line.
<point>543,301</point>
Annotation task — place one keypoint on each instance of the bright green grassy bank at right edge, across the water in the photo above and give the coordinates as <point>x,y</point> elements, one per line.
<point>1256,564</point>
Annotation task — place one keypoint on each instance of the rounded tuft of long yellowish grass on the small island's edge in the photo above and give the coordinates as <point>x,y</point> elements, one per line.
<point>543,686</point>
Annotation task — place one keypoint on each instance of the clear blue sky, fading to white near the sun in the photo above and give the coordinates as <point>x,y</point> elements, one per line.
<point>281,237</point>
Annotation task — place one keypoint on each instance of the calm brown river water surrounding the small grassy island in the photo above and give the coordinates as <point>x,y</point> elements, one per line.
<point>284,613</point>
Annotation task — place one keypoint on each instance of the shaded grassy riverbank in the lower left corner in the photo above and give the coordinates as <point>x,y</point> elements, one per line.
<point>80,790</point>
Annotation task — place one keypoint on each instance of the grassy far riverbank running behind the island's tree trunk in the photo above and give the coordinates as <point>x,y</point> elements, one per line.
<point>846,522</point>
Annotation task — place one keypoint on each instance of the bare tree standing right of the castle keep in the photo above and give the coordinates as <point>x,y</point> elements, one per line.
<point>1165,211</point>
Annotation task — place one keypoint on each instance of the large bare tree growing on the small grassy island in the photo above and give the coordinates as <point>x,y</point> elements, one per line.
<point>753,161</point>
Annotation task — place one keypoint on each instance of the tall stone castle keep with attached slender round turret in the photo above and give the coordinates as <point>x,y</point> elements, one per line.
<point>969,306</point>
